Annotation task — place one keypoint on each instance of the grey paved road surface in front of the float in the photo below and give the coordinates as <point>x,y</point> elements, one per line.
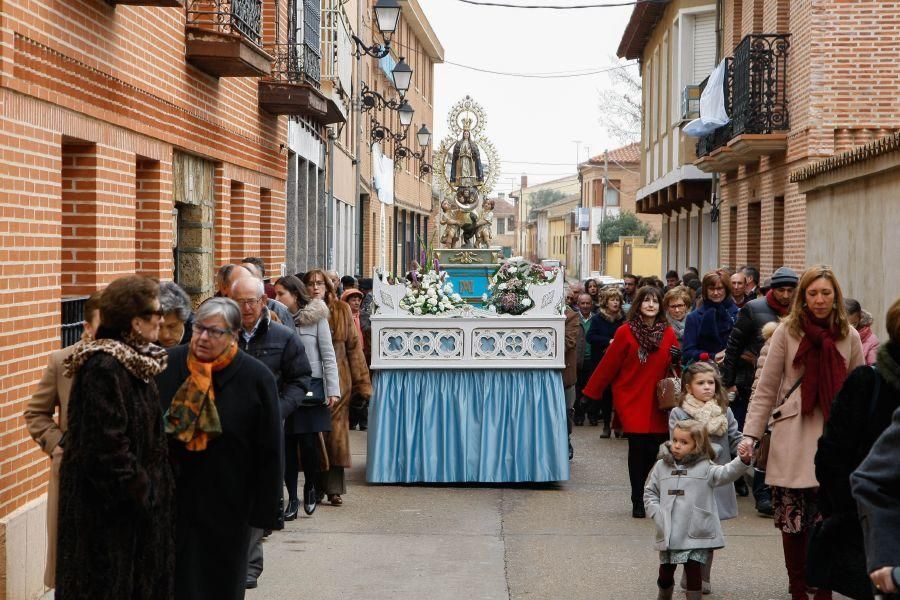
<point>573,540</point>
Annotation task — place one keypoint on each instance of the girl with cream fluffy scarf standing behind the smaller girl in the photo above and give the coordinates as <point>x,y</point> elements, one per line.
<point>705,400</point>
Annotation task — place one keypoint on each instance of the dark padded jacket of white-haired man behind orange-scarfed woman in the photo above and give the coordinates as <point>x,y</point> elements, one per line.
<point>280,349</point>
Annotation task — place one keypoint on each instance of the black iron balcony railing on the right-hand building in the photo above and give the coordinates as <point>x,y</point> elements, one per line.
<point>755,91</point>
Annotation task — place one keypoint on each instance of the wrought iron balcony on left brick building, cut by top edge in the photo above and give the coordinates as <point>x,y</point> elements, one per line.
<point>224,36</point>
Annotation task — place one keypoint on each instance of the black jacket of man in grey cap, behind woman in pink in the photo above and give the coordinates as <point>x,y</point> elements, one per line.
<point>746,336</point>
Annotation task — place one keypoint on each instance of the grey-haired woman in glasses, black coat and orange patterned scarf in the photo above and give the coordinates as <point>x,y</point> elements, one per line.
<point>224,425</point>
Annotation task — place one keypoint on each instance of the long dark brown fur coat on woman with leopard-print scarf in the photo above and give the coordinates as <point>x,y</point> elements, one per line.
<point>116,500</point>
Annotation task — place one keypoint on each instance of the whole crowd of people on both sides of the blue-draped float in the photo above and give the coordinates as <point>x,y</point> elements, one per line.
<point>178,428</point>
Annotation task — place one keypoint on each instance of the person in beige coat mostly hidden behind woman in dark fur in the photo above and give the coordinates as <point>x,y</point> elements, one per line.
<point>53,390</point>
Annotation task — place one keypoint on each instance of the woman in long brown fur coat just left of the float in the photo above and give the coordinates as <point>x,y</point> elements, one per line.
<point>354,377</point>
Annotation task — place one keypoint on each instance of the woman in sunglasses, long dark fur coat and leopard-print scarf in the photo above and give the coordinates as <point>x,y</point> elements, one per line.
<point>115,497</point>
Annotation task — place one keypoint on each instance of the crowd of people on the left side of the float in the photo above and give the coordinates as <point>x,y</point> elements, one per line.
<point>179,428</point>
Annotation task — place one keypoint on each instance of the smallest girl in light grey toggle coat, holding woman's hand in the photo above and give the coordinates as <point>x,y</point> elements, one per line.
<point>680,498</point>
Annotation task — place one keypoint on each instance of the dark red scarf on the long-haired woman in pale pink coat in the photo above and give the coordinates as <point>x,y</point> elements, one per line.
<point>824,369</point>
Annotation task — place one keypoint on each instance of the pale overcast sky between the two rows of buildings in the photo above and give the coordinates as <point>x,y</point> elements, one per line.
<point>528,119</point>
